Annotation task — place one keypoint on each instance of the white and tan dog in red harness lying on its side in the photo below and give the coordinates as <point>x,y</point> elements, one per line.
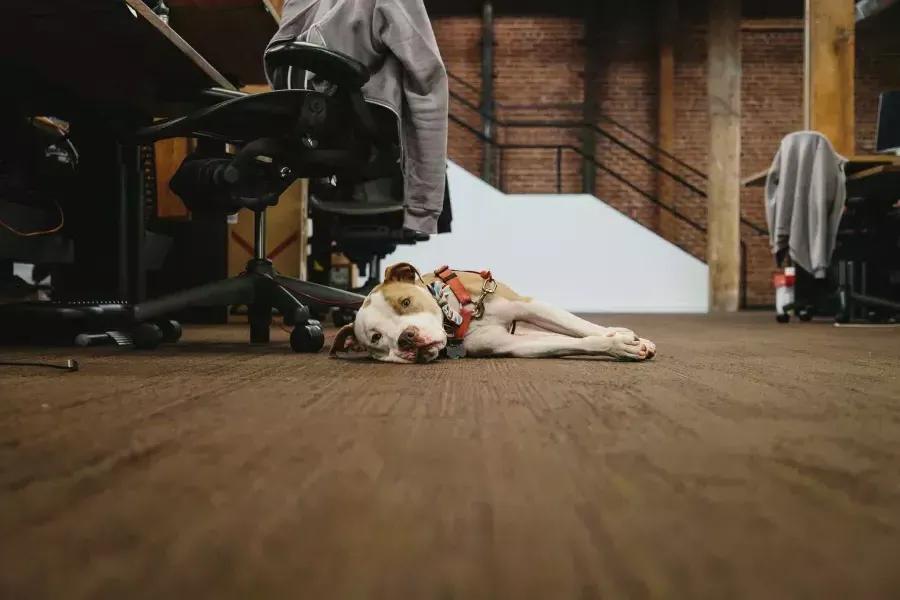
<point>413,318</point>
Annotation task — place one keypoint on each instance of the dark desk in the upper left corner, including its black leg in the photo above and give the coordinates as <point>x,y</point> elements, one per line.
<point>107,67</point>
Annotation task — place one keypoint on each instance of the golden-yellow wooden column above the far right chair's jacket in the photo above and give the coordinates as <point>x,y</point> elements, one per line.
<point>829,71</point>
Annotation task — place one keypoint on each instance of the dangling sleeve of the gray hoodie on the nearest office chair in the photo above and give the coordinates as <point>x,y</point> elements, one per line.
<point>403,28</point>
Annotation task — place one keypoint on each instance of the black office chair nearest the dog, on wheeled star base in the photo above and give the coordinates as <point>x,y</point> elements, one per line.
<point>280,136</point>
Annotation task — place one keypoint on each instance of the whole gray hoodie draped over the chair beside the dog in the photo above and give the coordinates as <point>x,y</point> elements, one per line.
<point>394,39</point>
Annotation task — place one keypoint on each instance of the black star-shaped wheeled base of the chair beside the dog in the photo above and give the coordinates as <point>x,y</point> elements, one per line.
<point>261,288</point>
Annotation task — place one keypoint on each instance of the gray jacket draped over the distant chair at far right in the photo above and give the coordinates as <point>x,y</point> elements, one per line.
<point>805,195</point>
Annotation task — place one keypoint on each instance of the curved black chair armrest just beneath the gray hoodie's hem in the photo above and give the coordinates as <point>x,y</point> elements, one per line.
<point>333,66</point>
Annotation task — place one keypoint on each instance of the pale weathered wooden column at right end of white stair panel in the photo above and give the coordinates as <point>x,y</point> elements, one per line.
<point>724,194</point>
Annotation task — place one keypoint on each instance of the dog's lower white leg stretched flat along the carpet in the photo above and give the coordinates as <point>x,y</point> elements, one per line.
<point>496,341</point>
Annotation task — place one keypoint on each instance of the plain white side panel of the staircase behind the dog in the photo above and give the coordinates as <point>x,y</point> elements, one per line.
<point>572,250</point>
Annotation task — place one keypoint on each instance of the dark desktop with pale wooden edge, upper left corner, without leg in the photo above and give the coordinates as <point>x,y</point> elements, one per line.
<point>103,53</point>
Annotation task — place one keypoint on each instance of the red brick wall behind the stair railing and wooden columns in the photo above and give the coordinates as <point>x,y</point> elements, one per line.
<point>540,60</point>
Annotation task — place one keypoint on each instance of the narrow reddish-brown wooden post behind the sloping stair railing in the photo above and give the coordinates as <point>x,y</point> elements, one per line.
<point>667,27</point>
